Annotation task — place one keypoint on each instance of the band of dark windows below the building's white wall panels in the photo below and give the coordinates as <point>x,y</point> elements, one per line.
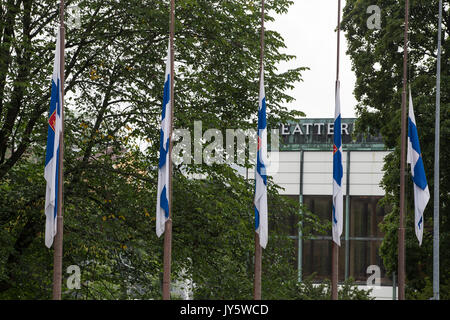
<point>364,241</point>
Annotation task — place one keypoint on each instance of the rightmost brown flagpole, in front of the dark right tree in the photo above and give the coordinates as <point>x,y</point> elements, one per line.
<point>401,229</point>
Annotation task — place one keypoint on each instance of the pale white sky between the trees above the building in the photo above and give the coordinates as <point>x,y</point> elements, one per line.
<point>308,31</point>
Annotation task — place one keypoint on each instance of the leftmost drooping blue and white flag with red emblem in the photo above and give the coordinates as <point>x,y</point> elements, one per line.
<point>52,154</point>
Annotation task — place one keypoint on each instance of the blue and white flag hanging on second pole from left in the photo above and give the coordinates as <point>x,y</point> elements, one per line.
<point>162,202</point>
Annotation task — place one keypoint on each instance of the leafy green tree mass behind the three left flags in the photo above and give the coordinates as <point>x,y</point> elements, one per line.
<point>114,76</point>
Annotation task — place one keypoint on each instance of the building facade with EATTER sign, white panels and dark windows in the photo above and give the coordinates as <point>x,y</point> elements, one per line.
<point>305,167</point>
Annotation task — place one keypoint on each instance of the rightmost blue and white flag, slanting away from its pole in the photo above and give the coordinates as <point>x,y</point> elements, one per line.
<point>421,192</point>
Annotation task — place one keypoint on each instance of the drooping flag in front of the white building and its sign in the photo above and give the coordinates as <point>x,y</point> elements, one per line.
<point>337,214</point>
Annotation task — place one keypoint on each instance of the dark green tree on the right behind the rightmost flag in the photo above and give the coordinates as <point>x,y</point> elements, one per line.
<point>377,57</point>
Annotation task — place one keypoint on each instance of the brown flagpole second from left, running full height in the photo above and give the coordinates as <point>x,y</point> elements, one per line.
<point>167,260</point>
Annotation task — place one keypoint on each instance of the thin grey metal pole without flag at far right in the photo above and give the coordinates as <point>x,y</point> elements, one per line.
<point>436,165</point>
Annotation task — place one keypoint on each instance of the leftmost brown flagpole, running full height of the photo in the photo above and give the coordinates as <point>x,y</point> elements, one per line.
<point>58,246</point>
